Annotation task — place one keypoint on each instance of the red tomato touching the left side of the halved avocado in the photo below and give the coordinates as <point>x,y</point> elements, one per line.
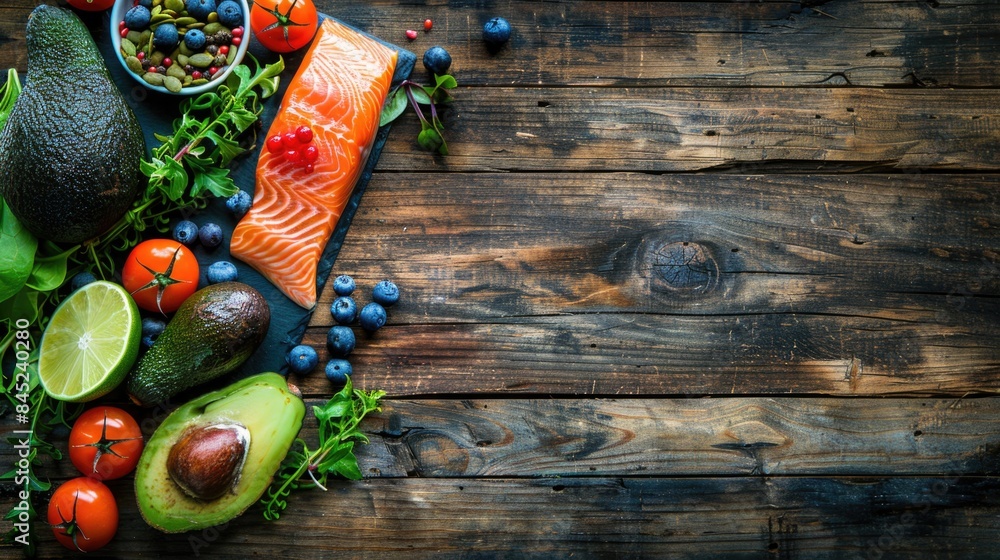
<point>105,443</point>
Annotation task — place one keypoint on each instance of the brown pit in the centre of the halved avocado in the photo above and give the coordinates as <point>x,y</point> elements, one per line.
<point>206,462</point>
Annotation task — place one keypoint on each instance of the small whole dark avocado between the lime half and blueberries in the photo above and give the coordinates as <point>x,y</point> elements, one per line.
<point>213,332</point>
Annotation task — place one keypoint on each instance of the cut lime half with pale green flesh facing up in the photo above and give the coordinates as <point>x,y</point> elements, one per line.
<point>90,344</point>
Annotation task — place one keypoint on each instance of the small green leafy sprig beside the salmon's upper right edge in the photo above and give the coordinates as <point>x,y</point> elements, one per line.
<point>431,136</point>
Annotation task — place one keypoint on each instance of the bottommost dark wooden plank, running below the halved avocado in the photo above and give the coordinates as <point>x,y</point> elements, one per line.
<point>743,517</point>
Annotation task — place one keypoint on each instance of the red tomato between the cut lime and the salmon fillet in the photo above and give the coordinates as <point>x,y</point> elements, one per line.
<point>160,274</point>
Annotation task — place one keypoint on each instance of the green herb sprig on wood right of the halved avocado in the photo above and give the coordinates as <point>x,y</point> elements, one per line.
<point>303,467</point>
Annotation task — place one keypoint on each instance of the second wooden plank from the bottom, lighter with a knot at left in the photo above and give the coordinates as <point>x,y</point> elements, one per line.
<point>665,437</point>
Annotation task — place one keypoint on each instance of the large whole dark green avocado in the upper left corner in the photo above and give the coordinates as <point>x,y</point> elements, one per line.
<point>70,152</point>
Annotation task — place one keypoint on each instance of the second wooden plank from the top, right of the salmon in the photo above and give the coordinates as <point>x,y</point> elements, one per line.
<point>689,129</point>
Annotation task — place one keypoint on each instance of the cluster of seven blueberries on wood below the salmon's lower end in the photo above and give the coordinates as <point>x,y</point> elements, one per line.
<point>340,340</point>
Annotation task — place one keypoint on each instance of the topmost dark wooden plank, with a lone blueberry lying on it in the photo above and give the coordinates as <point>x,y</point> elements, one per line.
<point>681,43</point>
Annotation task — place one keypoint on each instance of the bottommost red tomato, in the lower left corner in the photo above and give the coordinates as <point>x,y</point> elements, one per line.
<point>83,514</point>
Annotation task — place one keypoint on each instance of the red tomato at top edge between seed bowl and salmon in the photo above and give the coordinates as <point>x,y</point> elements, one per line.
<point>284,25</point>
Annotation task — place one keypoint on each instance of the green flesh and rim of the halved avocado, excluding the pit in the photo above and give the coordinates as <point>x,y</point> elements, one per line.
<point>273,416</point>
